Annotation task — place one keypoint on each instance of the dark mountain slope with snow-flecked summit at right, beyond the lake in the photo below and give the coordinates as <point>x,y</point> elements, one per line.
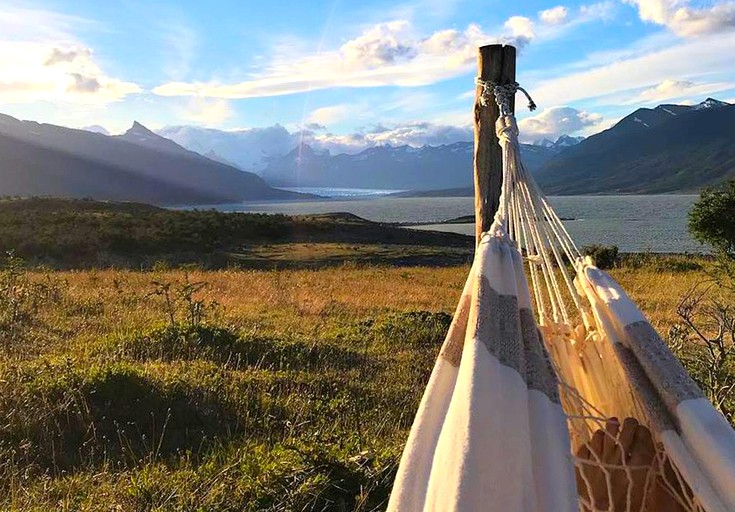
<point>670,148</point>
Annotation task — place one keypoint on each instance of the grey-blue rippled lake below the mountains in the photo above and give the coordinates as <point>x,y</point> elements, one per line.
<point>633,223</point>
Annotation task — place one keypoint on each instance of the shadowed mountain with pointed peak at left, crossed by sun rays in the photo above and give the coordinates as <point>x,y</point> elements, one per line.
<point>42,160</point>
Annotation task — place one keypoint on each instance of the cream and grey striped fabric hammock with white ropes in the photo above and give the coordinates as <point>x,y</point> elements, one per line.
<point>516,415</point>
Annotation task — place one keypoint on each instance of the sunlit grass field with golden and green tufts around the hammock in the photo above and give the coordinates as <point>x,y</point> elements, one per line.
<point>229,390</point>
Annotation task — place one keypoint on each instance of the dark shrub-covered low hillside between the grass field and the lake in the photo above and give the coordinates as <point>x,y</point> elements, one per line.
<point>66,233</point>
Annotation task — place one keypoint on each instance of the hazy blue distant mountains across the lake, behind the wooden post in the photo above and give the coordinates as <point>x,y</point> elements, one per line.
<point>387,167</point>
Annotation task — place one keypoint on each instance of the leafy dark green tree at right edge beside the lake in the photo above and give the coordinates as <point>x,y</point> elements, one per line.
<point>712,219</point>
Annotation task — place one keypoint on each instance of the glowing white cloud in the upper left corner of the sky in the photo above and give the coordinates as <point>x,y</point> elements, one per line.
<point>41,60</point>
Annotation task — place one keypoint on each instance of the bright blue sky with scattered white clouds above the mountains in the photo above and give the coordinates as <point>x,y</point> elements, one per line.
<point>351,74</point>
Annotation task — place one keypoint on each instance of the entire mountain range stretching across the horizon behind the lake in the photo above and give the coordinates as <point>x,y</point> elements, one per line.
<point>669,148</point>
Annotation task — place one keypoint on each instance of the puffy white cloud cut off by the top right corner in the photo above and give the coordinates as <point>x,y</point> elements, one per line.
<point>686,21</point>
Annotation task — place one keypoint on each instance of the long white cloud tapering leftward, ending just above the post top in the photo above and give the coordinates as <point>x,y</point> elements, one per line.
<point>384,54</point>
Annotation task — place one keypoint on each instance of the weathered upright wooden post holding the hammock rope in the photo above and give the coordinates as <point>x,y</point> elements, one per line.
<point>495,63</point>
